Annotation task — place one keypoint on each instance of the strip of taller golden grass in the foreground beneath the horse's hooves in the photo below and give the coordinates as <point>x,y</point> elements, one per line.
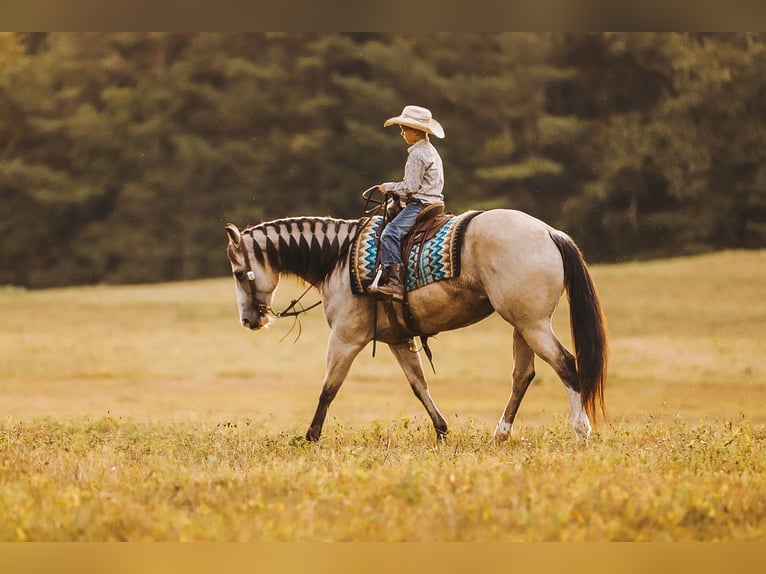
<point>107,479</point>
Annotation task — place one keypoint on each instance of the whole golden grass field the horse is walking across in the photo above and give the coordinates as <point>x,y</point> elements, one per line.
<point>148,413</point>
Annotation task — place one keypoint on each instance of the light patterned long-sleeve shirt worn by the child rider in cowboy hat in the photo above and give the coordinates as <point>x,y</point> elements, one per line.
<point>423,174</point>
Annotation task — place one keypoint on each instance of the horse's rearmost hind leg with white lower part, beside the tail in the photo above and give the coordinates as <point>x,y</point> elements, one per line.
<point>544,342</point>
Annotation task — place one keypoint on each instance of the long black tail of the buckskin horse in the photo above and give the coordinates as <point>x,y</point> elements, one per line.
<point>587,323</point>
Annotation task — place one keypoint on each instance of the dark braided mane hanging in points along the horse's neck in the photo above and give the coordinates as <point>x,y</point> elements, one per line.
<point>309,247</point>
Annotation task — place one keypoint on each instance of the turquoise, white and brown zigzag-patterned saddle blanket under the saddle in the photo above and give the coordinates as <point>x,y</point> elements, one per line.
<point>432,256</point>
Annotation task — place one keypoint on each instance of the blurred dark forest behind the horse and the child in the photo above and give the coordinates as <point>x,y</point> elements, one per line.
<point>123,154</point>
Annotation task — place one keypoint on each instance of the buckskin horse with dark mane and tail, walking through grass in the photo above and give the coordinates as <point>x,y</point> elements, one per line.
<point>513,264</point>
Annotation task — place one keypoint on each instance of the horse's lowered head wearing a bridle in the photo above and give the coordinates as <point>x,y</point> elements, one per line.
<point>254,278</point>
